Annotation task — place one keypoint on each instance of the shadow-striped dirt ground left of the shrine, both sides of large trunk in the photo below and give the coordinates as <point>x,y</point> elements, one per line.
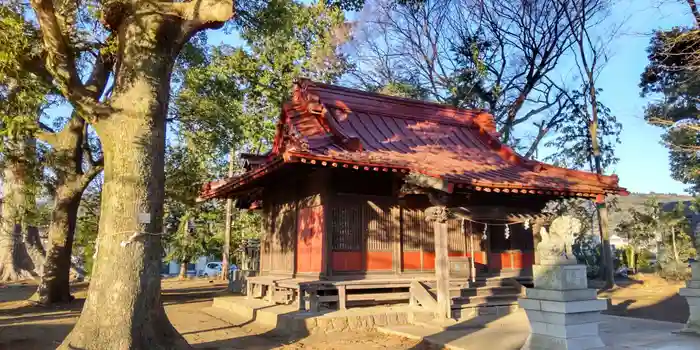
<point>25,326</point>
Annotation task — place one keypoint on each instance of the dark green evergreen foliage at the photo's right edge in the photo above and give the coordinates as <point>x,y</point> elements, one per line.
<point>672,80</point>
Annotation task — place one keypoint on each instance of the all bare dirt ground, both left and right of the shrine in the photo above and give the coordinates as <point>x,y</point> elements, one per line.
<point>25,326</point>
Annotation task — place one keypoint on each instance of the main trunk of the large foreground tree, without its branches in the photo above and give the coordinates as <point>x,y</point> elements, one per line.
<point>123,309</point>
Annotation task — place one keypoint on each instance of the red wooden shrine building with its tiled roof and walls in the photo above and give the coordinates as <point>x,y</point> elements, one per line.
<point>333,192</point>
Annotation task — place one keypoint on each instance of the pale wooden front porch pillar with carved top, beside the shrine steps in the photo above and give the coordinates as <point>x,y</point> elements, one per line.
<point>438,215</point>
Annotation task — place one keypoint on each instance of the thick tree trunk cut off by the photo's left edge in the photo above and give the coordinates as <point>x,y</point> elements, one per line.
<point>16,262</point>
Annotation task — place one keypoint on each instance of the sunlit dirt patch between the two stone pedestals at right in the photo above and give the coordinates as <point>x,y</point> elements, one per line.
<point>647,296</point>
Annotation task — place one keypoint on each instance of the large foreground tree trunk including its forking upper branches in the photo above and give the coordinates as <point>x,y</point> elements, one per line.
<point>123,309</point>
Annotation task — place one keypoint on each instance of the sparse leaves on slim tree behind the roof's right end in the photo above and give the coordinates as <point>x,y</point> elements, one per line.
<point>572,142</point>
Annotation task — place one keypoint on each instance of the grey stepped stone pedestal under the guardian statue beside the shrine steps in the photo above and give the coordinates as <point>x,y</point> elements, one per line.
<point>563,313</point>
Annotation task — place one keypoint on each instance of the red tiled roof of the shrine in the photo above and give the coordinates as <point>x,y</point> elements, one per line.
<point>337,126</point>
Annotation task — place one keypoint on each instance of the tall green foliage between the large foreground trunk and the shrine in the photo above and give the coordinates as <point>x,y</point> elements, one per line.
<point>230,98</point>
